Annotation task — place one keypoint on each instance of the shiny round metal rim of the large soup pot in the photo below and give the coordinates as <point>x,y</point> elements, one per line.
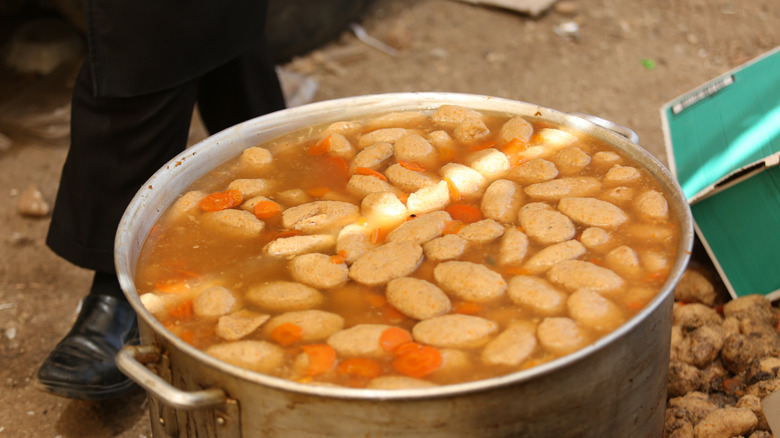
<point>129,240</point>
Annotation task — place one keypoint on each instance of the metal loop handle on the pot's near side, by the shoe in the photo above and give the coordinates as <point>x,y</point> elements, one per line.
<point>130,360</point>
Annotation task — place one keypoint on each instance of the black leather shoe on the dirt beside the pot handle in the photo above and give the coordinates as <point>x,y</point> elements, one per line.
<point>82,365</point>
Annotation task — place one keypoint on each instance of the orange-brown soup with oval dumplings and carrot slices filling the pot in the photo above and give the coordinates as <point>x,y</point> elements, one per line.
<point>410,249</point>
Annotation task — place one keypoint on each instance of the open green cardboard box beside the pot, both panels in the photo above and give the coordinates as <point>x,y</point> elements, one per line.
<point>723,145</point>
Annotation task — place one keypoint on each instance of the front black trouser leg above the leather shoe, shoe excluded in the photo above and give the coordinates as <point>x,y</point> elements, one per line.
<point>116,145</point>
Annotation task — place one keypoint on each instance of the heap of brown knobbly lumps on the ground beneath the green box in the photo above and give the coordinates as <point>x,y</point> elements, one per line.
<point>724,360</point>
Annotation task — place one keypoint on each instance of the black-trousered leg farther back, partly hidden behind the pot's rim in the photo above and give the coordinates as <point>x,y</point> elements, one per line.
<point>239,90</point>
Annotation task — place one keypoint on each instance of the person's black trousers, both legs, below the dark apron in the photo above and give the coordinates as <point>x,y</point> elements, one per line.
<point>118,143</point>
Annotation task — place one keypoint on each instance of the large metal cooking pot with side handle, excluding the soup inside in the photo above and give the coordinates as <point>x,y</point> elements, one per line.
<point>613,388</point>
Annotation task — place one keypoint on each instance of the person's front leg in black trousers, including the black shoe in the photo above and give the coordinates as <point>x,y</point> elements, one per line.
<point>116,145</point>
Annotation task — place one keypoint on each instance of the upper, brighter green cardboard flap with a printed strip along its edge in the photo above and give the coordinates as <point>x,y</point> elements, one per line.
<point>724,125</point>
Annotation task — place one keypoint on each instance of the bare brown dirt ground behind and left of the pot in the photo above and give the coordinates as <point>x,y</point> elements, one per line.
<point>620,60</point>
